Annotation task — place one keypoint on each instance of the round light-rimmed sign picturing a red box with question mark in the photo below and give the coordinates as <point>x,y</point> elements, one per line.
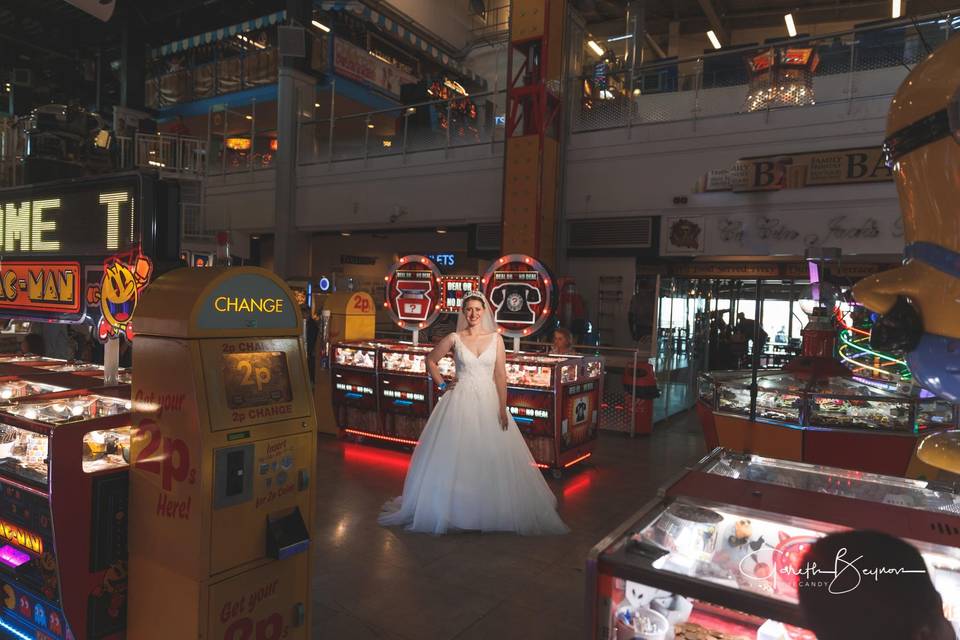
<point>413,292</point>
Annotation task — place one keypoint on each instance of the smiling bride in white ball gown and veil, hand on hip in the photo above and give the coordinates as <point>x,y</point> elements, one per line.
<point>471,469</point>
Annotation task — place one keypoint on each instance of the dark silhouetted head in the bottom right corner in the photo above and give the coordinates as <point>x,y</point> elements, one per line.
<point>875,598</point>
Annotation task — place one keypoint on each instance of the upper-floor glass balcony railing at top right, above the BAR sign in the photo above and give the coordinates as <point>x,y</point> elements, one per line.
<point>841,67</point>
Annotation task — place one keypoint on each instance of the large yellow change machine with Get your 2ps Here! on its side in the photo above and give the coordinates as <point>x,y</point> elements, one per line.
<point>221,489</point>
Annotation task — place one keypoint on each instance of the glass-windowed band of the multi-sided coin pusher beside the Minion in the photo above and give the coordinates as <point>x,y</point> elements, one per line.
<point>834,402</point>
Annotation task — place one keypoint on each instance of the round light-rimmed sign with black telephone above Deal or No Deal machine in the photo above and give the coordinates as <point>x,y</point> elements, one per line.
<point>521,291</point>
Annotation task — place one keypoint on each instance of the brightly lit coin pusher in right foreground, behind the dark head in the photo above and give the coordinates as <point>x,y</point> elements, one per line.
<point>718,555</point>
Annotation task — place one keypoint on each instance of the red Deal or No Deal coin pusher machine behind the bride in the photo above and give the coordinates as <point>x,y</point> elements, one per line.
<point>382,390</point>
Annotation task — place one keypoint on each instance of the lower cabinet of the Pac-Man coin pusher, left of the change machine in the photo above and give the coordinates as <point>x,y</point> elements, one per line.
<point>63,514</point>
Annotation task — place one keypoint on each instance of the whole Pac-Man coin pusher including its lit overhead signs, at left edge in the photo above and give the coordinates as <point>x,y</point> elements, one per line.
<point>74,251</point>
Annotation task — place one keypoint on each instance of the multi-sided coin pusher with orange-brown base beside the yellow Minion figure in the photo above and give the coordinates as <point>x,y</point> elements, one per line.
<point>815,410</point>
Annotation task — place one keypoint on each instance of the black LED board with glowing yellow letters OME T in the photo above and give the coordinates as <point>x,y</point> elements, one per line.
<point>90,218</point>
